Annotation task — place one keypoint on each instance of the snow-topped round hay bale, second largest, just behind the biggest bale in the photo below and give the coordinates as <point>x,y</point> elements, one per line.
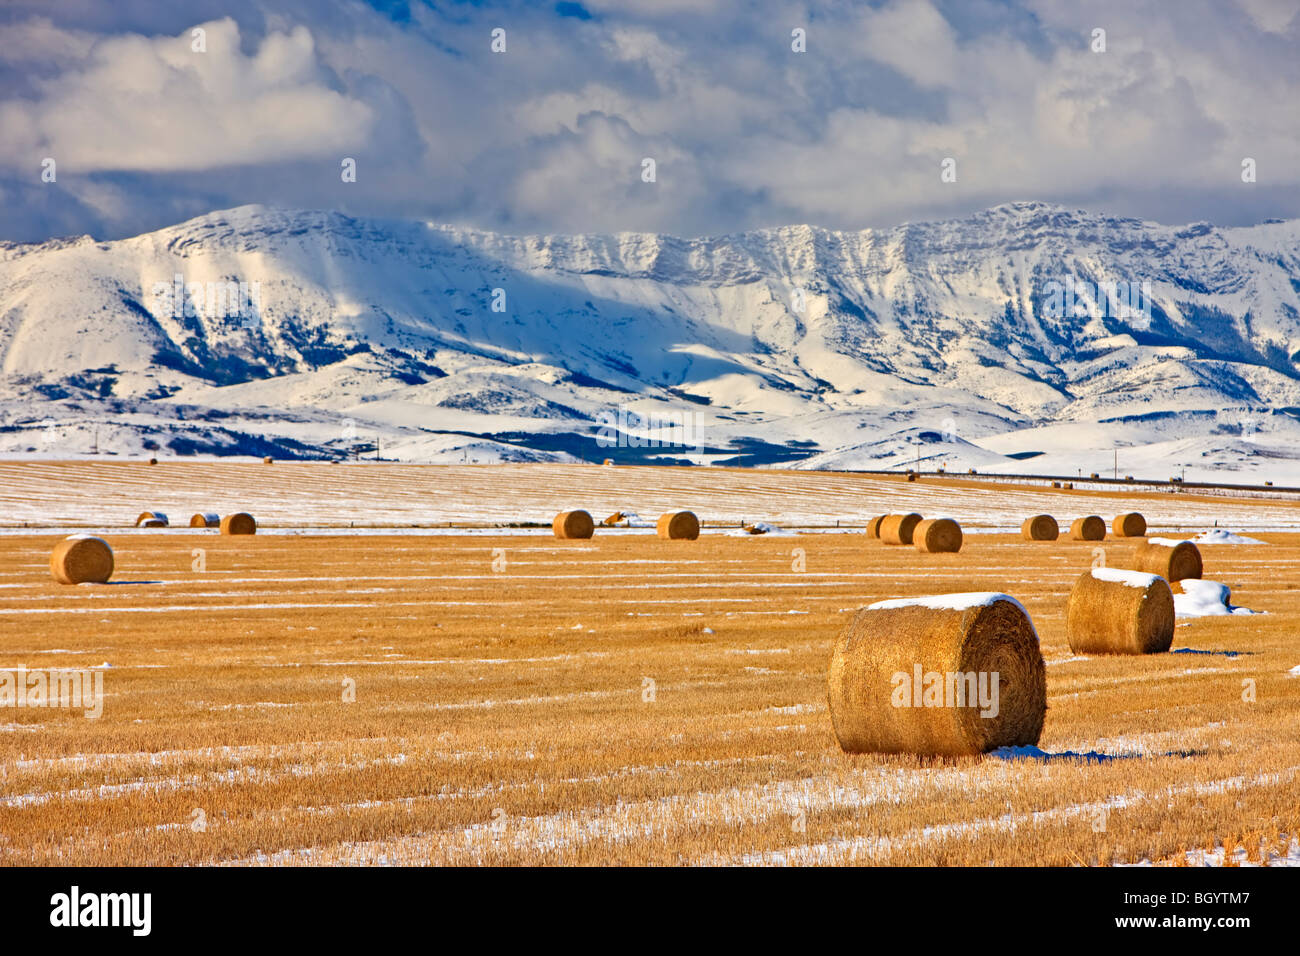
<point>1115,612</point>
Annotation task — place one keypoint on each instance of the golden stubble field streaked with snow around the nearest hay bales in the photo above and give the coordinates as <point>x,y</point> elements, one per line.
<point>518,699</point>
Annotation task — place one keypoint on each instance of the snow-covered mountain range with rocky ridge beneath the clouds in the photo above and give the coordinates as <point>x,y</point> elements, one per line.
<point>981,343</point>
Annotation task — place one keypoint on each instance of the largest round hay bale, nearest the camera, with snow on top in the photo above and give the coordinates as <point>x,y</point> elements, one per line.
<point>917,676</point>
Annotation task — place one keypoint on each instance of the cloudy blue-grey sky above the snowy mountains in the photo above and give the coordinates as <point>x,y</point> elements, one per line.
<point>552,135</point>
